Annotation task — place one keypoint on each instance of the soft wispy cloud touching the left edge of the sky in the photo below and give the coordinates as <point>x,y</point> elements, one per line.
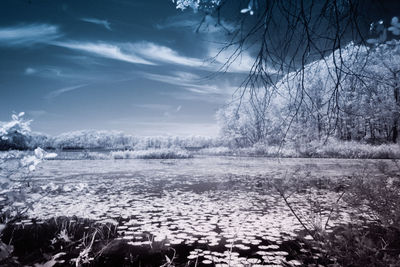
<point>26,35</point>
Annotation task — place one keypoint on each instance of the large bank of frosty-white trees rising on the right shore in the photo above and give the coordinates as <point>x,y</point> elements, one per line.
<point>360,102</point>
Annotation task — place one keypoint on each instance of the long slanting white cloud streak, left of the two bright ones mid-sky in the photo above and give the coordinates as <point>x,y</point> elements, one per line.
<point>111,51</point>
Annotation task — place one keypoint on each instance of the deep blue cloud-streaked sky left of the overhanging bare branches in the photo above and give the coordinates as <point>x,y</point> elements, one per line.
<point>134,66</point>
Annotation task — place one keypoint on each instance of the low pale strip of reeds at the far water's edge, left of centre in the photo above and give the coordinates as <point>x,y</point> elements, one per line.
<point>170,153</point>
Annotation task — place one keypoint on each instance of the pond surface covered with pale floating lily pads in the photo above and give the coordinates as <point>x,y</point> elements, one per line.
<point>208,212</point>
